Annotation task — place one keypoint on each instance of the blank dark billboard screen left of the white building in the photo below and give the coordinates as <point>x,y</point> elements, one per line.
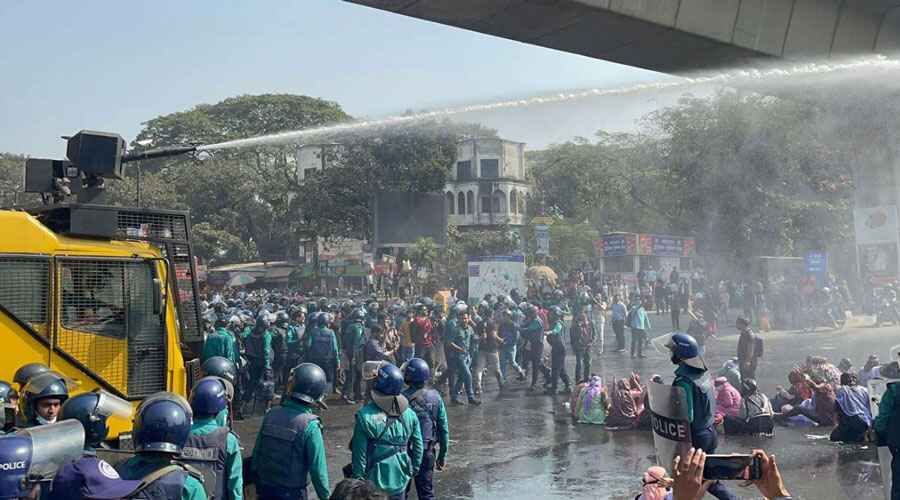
<point>402,217</point>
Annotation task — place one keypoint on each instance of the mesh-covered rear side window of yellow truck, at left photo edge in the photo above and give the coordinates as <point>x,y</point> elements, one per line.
<point>24,288</point>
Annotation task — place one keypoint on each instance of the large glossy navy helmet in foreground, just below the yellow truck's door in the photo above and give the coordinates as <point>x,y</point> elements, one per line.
<point>162,424</point>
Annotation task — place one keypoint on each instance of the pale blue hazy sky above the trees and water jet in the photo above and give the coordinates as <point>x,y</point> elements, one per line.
<point>111,65</point>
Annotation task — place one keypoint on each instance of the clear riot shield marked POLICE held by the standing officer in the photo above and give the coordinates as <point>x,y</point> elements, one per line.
<point>669,421</point>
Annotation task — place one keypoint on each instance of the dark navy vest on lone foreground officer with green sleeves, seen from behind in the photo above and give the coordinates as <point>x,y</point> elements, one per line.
<point>279,457</point>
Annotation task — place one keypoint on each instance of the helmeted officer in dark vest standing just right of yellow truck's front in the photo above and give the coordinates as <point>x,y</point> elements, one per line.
<point>260,356</point>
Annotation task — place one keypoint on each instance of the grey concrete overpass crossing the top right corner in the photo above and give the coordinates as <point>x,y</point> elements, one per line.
<point>675,36</point>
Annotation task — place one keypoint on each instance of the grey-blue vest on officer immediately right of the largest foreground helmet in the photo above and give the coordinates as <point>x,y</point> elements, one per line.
<point>208,454</point>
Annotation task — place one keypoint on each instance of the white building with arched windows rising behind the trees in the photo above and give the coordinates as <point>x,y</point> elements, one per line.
<point>488,186</point>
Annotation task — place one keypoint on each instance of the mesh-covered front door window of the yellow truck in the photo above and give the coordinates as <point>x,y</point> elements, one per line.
<point>106,297</point>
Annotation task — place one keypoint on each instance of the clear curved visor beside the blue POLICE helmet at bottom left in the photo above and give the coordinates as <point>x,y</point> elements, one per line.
<point>53,446</point>
